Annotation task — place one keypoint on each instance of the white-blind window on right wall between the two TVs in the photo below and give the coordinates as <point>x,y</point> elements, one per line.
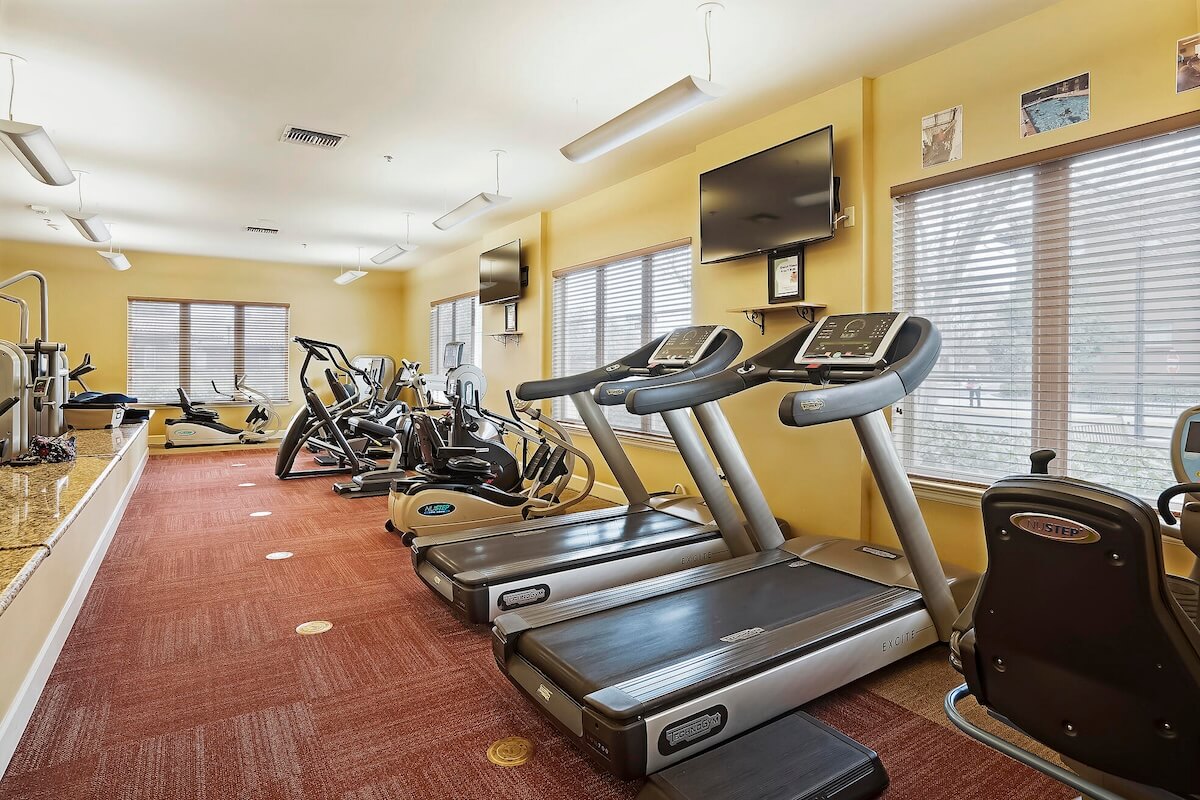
<point>605,311</point>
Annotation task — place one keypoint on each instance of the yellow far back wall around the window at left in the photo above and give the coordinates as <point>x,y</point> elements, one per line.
<point>88,305</point>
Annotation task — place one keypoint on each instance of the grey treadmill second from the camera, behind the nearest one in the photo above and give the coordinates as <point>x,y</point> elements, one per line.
<point>488,572</point>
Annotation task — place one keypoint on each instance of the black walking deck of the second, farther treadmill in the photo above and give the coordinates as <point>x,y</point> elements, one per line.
<point>519,556</point>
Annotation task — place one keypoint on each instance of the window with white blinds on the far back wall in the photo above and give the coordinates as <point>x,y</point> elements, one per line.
<point>193,344</point>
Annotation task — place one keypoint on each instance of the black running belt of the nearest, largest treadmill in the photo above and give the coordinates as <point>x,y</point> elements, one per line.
<point>591,653</point>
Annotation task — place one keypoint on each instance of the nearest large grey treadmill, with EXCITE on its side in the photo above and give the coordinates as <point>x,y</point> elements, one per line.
<point>650,675</point>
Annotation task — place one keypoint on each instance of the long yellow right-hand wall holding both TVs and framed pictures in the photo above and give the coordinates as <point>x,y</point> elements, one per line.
<point>1129,47</point>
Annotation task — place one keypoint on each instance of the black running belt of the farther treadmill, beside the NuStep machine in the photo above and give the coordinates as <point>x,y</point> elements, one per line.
<point>487,555</point>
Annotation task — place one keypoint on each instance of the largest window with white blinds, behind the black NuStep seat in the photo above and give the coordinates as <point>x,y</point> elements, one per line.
<point>1067,296</point>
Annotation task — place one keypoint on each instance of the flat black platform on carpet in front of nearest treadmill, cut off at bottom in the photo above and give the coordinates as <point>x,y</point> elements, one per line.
<point>795,757</point>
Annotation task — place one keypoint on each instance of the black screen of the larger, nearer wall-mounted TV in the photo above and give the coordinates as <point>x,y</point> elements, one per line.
<point>770,201</point>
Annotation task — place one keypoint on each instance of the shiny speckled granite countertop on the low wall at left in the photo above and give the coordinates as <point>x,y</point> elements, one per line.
<point>37,503</point>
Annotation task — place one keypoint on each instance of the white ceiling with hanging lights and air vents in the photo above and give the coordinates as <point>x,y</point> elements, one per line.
<point>176,107</point>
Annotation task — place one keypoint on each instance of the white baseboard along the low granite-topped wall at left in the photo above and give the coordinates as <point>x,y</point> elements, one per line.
<point>13,727</point>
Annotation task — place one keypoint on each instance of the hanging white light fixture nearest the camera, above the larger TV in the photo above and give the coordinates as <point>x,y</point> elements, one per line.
<point>675,101</point>
